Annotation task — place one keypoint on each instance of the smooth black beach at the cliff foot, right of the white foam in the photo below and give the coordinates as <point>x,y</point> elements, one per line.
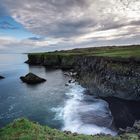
<point>124,112</point>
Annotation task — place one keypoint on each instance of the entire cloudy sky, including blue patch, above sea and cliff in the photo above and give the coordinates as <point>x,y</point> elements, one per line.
<point>44,25</point>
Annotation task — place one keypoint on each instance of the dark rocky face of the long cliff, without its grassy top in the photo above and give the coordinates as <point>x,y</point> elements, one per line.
<point>102,76</point>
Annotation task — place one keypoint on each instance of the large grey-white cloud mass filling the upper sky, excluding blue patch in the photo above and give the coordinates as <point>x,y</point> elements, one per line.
<point>77,22</point>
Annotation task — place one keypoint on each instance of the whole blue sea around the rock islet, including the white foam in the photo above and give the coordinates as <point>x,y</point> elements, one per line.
<point>50,103</point>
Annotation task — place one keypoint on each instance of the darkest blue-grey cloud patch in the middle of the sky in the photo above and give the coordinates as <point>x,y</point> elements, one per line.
<point>71,28</point>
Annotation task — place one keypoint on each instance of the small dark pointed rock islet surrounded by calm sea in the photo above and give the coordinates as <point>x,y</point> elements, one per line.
<point>31,78</point>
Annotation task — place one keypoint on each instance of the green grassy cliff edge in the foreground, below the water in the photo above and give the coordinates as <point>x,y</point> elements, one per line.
<point>23,129</point>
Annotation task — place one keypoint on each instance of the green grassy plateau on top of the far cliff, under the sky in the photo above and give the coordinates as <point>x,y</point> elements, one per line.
<point>112,51</point>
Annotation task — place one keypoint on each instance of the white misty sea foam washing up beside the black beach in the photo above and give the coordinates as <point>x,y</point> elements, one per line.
<point>82,116</point>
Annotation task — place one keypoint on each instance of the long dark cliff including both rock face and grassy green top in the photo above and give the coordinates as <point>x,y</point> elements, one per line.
<point>105,71</point>
